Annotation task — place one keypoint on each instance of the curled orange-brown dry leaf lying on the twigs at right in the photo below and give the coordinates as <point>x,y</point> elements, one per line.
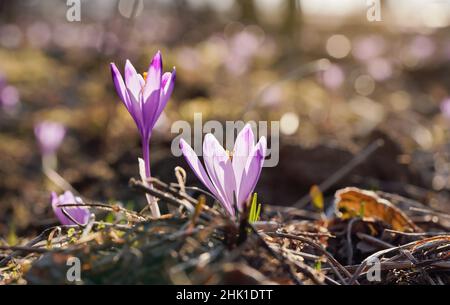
<point>352,202</point>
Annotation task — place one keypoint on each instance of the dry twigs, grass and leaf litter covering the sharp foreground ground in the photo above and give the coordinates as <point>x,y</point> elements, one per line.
<point>194,247</point>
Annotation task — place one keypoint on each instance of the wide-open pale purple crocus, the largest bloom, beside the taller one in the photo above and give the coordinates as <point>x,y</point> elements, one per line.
<point>230,178</point>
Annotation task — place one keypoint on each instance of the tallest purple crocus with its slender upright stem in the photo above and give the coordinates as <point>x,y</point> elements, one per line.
<point>145,97</point>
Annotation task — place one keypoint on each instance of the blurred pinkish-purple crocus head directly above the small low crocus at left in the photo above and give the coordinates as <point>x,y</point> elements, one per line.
<point>49,135</point>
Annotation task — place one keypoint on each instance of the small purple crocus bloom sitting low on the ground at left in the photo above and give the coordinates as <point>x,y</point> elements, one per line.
<point>78,213</point>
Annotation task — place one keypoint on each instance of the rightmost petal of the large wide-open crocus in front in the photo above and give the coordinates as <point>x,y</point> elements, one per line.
<point>252,171</point>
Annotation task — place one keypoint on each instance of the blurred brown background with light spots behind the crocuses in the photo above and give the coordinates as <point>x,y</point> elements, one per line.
<point>335,80</point>
